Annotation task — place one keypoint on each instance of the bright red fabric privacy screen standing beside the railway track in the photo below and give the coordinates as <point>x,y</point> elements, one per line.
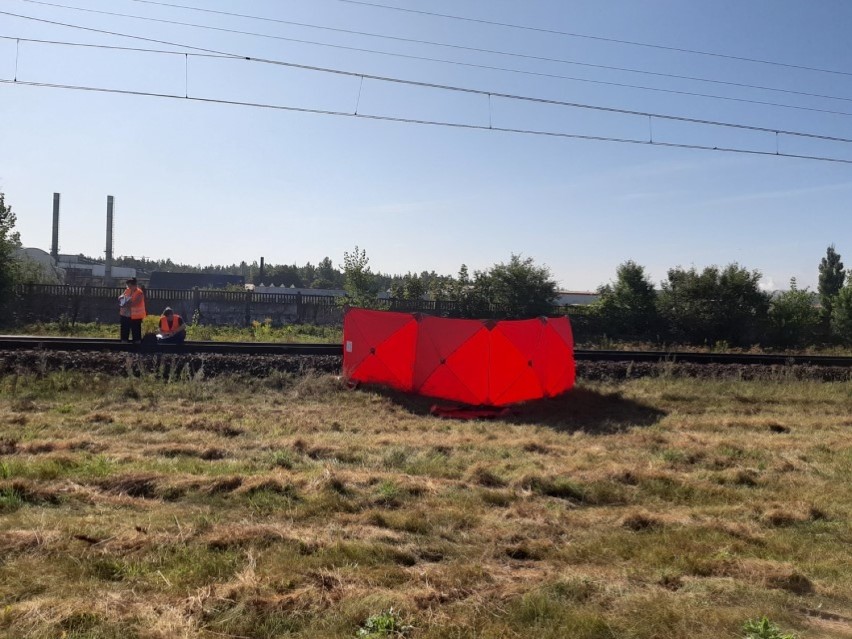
<point>478,362</point>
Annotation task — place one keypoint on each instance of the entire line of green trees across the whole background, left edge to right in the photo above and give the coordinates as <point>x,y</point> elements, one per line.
<point>691,306</point>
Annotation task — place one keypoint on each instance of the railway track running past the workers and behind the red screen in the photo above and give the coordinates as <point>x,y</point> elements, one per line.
<point>23,342</point>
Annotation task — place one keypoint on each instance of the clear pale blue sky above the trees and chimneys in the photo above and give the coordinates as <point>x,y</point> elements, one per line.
<point>210,183</point>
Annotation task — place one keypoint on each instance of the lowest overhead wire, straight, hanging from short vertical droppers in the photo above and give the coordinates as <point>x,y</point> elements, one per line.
<point>455,125</point>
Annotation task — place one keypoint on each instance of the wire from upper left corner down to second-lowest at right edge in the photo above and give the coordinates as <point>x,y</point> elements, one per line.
<point>466,90</point>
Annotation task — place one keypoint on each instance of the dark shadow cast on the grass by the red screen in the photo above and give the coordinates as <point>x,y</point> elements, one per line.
<point>579,409</point>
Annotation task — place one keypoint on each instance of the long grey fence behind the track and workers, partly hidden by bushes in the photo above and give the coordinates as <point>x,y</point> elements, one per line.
<point>50,303</point>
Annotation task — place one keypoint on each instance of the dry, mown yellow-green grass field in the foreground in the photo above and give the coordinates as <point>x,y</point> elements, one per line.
<point>284,507</point>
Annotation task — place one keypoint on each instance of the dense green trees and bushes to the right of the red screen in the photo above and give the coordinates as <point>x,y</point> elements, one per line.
<point>725,305</point>
